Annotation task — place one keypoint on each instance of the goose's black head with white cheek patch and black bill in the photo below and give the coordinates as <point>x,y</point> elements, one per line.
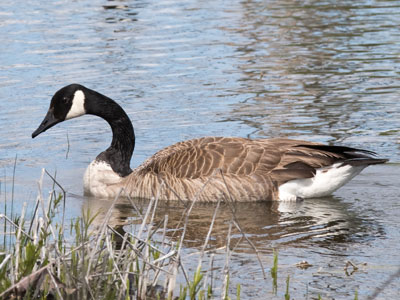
<point>67,103</point>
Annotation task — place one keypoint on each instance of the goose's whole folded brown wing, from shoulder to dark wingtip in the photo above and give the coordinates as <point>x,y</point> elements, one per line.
<point>280,159</point>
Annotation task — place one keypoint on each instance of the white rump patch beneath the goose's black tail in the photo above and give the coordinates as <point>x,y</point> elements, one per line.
<point>325,182</point>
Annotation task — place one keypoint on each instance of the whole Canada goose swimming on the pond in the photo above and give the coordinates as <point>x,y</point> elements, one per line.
<point>206,168</point>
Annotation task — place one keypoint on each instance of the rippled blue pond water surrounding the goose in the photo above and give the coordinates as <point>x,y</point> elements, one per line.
<point>326,71</point>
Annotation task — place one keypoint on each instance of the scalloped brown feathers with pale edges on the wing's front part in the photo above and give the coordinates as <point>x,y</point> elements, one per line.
<point>200,157</point>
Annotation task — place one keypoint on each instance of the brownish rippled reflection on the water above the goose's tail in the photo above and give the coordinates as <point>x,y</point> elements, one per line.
<point>308,67</point>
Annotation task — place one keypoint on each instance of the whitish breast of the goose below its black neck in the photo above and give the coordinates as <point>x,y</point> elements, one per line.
<point>100,180</point>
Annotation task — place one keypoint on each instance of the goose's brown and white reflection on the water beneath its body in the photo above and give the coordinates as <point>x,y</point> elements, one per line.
<point>325,222</point>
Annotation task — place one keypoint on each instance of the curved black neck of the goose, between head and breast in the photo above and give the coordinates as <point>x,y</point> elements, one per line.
<point>119,154</point>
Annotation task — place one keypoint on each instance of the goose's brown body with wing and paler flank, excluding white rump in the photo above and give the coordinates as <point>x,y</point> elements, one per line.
<point>236,168</point>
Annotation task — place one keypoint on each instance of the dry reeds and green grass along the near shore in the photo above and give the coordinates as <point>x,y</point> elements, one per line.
<point>45,257</point>
